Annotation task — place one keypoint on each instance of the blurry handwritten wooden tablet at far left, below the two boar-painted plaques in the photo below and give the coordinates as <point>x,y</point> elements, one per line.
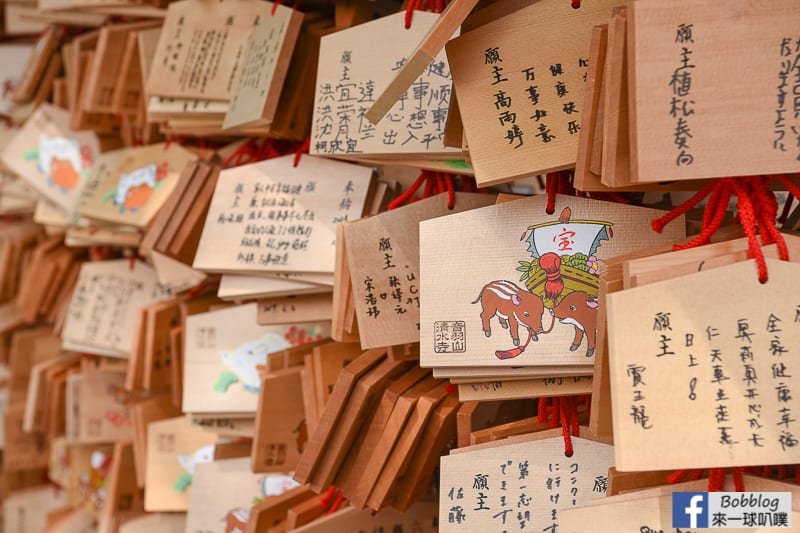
<point>102,312</point>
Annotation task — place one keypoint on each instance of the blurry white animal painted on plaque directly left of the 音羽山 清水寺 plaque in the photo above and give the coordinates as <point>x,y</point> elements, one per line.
<point>244,362</point>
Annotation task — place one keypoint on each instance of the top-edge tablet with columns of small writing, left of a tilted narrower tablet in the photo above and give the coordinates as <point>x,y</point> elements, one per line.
<point>181,70</point>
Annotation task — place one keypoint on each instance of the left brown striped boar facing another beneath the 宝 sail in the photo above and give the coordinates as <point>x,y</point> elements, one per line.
<point>512,306</point>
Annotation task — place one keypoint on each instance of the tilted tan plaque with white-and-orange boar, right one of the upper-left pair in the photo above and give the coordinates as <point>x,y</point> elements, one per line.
<point>137,185</point>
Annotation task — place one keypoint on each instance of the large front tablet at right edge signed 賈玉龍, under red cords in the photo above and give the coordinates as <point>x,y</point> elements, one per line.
<point>715,340</point>
